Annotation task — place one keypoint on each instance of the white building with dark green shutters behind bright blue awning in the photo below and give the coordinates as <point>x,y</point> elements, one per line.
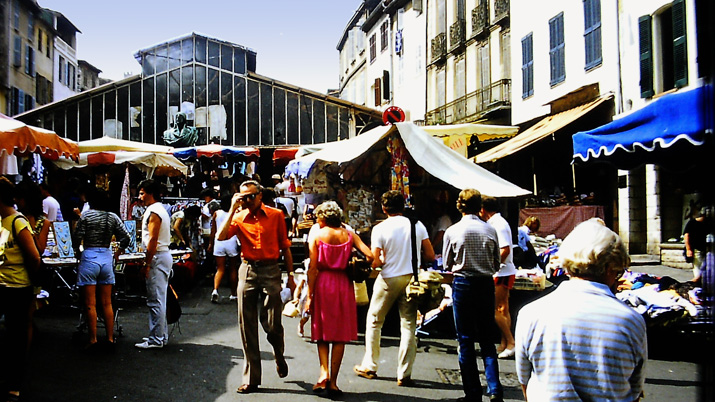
<point>664,49</point>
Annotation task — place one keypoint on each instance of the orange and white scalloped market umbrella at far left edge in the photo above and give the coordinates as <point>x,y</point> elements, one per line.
<point>17,137</point>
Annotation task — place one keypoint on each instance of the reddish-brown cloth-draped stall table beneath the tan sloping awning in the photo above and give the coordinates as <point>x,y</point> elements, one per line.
<point>561,220</point>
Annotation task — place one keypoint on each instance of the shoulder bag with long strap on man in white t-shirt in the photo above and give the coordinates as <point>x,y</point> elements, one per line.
<point>426,289</point>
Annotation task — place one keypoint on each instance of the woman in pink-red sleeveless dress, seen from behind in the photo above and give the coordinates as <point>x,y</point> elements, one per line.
<point>331,296</point>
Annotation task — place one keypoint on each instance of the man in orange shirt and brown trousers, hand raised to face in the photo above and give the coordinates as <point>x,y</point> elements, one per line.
<point>263,236</point>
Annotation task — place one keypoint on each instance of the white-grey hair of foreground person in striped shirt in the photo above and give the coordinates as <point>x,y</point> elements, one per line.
<point>591,250</point>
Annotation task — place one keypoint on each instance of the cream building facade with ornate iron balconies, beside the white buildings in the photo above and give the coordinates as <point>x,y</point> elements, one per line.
<point>468,73</point>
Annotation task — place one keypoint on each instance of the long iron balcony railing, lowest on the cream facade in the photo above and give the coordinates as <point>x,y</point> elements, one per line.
<point>473,105</point>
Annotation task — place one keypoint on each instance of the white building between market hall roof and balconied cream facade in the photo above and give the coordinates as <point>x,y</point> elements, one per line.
<point>382,54</point>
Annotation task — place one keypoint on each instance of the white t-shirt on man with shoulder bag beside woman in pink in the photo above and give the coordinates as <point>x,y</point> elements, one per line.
<point>393,237</point>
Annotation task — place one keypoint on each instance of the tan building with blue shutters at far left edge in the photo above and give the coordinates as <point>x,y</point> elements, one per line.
<point>26,52</point>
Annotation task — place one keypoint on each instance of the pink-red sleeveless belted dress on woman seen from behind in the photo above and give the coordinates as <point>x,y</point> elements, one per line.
<point>333,310</point>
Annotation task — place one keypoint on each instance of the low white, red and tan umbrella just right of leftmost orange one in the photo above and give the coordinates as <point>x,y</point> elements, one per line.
<point>148,162</point>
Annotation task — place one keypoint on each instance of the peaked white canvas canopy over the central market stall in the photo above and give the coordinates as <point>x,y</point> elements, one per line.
<point>430,153</point>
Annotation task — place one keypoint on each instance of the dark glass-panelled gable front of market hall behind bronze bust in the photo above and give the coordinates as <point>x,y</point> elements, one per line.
<point>214,82</point>
